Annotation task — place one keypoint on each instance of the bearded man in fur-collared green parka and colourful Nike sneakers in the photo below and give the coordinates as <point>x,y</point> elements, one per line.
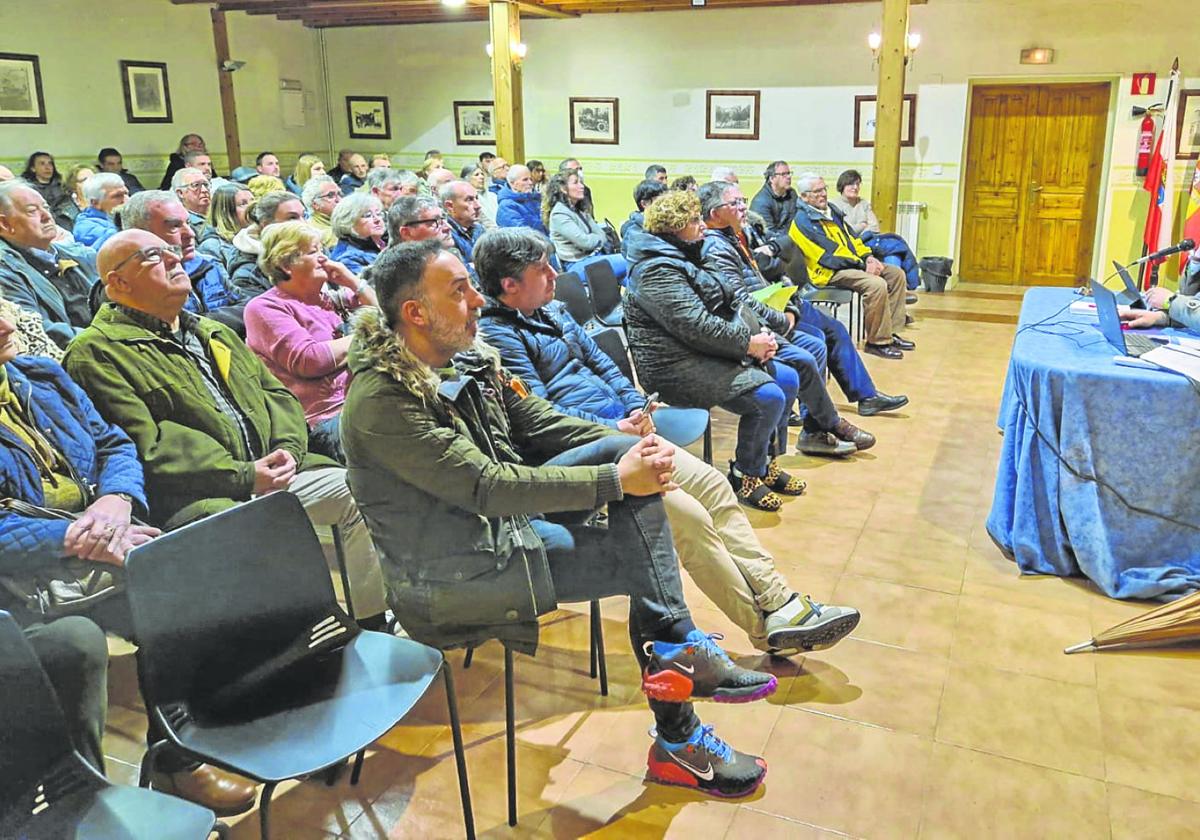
<point>475,430</point>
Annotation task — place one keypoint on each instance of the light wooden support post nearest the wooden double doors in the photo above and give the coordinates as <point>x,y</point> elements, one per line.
<point>890,113</point>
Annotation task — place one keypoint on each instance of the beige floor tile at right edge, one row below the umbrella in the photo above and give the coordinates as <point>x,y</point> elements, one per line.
<point>1153,747</point>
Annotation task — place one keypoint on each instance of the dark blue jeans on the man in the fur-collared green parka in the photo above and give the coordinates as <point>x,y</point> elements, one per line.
<point>635,557</point>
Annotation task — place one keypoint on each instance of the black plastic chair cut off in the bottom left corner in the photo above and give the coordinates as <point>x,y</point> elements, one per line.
<point>47,790</point>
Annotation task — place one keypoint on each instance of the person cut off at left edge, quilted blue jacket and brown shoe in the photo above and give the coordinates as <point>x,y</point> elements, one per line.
<point>57,452</point>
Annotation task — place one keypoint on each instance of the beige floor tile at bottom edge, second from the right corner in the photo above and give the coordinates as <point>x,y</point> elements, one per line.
<point>979,796</point>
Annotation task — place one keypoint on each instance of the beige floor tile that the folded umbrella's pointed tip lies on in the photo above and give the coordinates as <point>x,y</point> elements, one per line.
<point>1022,639</point>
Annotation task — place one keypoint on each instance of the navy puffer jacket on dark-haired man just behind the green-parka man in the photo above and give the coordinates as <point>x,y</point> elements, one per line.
<point>560,363</point>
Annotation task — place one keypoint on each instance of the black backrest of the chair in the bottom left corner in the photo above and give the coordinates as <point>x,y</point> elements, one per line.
<point>33,730</point>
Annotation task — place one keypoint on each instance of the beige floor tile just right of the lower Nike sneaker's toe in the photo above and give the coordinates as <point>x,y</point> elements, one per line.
<point>847,777</point>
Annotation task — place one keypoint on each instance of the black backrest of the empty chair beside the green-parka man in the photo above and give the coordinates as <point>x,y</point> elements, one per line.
<point>220,601</point>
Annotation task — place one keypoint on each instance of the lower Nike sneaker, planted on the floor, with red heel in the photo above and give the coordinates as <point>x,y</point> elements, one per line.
<point>706,764</point>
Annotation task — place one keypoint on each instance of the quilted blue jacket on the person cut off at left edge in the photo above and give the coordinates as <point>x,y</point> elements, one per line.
<point>100,454</point>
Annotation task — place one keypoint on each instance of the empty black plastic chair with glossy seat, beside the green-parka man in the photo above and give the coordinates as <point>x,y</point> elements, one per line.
<point>248,662</point>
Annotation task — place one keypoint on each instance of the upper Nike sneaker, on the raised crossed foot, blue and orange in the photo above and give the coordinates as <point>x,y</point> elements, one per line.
<point>700,670</point>
